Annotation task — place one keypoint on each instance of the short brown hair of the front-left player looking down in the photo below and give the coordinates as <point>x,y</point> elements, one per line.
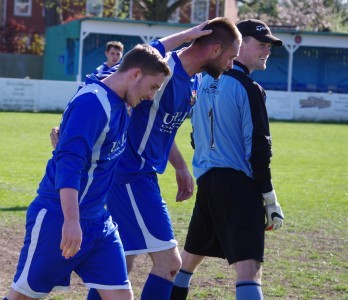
<point>145,57</point>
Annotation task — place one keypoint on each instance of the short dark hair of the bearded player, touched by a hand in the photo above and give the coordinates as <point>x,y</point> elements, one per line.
<point>224,33</point>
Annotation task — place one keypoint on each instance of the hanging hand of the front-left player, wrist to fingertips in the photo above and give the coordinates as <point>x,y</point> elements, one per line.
<point>71,238</point>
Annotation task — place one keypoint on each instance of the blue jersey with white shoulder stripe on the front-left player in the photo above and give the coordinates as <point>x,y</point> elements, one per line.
<point>92,138</point>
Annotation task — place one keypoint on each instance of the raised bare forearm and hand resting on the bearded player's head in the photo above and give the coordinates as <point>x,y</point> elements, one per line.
<point>175,40</point>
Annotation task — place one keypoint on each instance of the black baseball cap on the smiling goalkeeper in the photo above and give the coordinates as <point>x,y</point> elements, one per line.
<point>258,30</point>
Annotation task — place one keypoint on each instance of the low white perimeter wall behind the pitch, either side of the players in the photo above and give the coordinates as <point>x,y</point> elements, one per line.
<point>48,95</point>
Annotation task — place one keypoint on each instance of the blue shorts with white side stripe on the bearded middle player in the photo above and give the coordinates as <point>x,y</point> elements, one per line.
<point>141,215</point>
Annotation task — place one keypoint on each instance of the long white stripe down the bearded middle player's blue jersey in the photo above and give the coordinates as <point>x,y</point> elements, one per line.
<point>154,108</point>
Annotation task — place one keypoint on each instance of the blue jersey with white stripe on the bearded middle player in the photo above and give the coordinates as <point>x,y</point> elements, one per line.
<point>152,130</point>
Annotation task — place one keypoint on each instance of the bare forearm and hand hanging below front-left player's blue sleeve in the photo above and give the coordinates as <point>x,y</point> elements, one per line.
<point>71,230</point>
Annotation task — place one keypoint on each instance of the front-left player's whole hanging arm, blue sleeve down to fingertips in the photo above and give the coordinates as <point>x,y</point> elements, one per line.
<point>73,153</point>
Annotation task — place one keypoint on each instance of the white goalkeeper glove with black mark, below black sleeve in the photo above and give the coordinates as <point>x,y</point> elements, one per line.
<point>274,214</point>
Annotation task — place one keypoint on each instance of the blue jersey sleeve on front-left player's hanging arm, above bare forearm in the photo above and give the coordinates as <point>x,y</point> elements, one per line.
<point>81,125</point>
